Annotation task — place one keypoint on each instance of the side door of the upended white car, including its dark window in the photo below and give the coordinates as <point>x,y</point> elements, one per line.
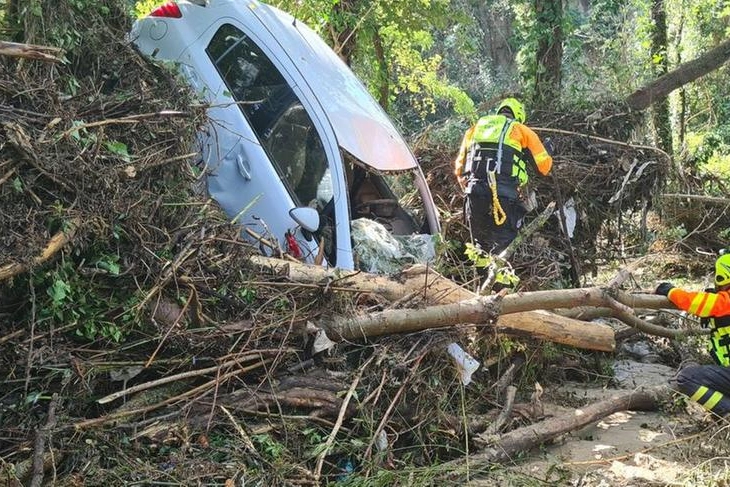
<point>264,147</point>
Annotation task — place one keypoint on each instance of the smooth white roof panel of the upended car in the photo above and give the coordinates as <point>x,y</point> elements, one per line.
<point>360,124</point>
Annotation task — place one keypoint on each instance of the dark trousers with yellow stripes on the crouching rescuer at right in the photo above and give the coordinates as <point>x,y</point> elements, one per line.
<point>709,385</point>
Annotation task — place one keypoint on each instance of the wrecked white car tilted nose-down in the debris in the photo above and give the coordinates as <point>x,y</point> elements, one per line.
<point>296,149</point>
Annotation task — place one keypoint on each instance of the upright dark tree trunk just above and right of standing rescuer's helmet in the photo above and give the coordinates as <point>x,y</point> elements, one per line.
<point>549,14</point>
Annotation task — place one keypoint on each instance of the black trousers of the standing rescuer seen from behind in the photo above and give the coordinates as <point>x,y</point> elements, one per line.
<point>484,231</point>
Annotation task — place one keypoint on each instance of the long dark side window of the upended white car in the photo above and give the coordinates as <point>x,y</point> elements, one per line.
<point>275,113</point>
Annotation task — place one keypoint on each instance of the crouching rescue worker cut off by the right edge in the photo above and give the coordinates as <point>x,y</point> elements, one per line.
<point>709,385</point>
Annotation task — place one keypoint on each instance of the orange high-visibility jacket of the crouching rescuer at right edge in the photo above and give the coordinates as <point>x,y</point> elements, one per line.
<point>716,307</point>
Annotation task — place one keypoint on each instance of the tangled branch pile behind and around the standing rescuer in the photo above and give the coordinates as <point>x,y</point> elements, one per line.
<point>602,186</point>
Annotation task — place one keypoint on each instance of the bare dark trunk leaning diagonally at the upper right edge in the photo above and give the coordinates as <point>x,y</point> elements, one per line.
<point>685,73</point>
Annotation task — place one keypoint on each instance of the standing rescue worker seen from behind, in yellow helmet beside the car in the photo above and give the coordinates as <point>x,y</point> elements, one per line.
<point>491,167</point>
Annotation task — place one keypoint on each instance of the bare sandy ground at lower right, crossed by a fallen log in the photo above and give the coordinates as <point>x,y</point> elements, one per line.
<point>628,448</point>
